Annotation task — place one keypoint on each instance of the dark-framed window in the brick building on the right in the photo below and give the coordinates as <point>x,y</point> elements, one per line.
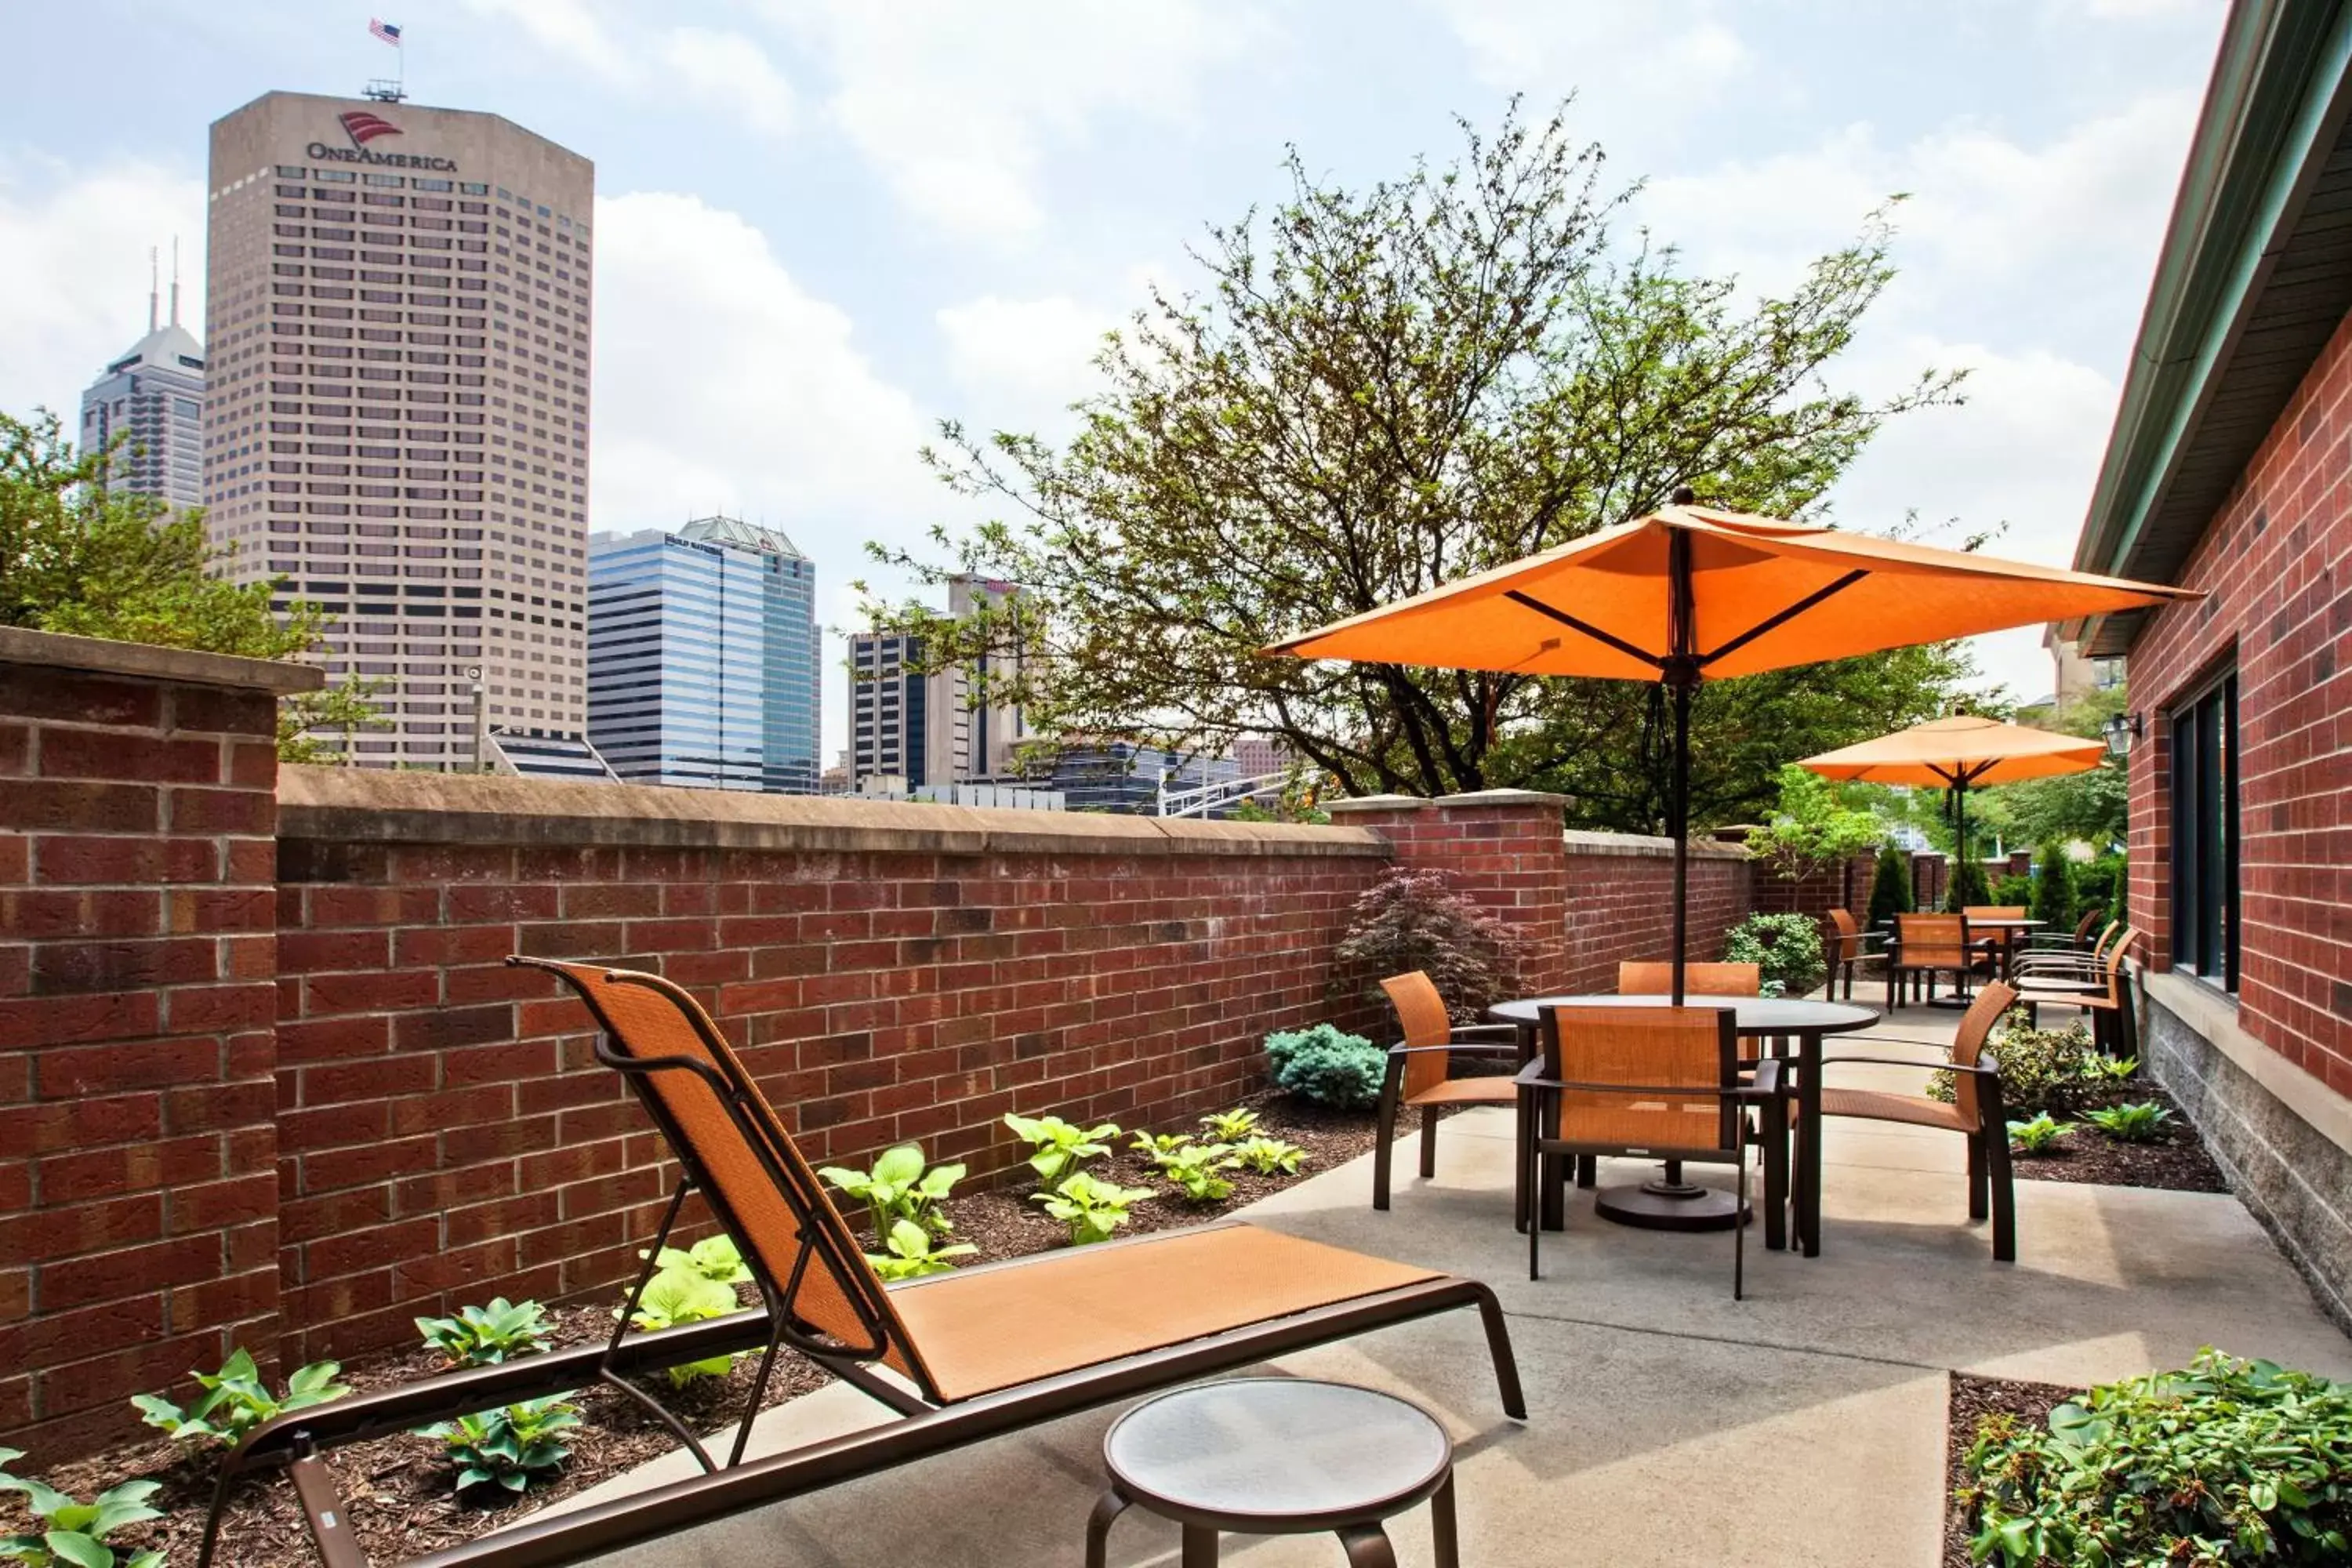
<point>2205,831</point>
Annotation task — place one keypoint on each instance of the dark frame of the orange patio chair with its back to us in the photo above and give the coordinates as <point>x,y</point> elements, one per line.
<point>1542,1094</point>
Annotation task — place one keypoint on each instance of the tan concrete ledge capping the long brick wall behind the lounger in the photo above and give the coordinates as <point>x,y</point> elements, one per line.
<point>375,808</point>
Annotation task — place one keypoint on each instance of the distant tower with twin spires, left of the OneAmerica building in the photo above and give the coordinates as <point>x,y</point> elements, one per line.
<point>154,394</point>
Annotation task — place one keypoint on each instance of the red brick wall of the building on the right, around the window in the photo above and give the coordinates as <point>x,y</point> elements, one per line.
<point>2273,563</point>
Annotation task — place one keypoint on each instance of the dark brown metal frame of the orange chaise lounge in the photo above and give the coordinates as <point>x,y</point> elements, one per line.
<point>928,1423</point>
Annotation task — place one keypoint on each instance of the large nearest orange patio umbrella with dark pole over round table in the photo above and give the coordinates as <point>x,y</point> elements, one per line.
<point>1697,594</point>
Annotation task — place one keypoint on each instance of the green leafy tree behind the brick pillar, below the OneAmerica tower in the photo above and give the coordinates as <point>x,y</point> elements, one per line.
<point>95,563</point>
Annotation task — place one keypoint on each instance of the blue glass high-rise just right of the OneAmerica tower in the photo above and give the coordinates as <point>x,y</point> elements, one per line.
<point>704,657</point>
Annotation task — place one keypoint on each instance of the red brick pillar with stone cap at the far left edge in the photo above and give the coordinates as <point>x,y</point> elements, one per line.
<point>138,1026</point>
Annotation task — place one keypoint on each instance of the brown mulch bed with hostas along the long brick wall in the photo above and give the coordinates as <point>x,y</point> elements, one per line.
<point>399,1492</point>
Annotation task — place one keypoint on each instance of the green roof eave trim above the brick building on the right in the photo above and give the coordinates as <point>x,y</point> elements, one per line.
<point>2271,121</point>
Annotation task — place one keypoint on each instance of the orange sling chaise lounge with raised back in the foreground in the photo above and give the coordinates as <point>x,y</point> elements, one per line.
<point>958,1358</point>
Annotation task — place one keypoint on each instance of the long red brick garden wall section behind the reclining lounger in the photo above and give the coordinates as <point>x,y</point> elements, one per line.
<point>890,972</point>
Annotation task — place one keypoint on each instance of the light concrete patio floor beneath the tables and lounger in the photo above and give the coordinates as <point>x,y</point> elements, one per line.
<point>1666,1423</point>
